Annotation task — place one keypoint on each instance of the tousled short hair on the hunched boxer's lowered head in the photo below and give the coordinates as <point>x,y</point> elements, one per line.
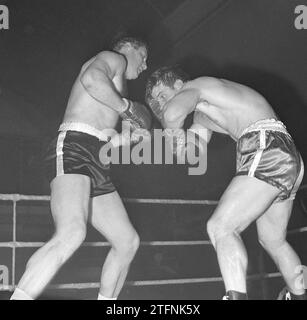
<point>166,75</point>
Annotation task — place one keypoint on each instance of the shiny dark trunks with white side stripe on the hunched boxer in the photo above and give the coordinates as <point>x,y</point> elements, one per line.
<point>265,150</point>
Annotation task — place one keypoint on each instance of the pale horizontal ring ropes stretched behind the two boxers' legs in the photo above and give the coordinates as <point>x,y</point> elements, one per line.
<point>93,285</point>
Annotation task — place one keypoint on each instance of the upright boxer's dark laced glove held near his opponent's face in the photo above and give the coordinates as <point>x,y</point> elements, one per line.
<point>137,114</point>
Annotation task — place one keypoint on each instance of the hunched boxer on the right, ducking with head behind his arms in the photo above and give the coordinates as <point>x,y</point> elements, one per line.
<point>269,170</point>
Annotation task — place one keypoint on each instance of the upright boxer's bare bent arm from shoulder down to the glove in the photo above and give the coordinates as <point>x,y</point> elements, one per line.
<point>97,80</point>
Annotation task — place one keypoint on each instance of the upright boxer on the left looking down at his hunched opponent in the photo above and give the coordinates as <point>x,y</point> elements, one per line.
<point>79,181</point>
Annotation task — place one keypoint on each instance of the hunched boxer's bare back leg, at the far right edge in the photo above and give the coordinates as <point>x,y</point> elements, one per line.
<point>272,232</point>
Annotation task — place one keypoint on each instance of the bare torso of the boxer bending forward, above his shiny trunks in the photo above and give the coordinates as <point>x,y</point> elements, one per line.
<point>226,106</point>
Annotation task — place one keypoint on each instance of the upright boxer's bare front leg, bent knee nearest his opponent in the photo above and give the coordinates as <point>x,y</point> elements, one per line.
<point>110,218</point>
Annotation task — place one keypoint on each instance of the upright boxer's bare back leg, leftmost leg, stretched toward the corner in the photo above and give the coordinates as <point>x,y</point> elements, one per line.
<point>69,207</point>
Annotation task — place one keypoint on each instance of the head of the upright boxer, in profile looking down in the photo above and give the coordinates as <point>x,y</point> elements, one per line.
<point>135,51</point>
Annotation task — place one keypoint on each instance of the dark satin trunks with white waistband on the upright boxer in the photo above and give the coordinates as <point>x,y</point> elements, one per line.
<point>76,151</point>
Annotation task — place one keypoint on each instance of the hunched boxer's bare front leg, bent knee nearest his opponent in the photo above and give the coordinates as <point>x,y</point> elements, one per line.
<point>245,199</point>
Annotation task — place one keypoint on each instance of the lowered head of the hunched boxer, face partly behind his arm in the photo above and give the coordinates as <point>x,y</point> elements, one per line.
<point>162,86</point>
